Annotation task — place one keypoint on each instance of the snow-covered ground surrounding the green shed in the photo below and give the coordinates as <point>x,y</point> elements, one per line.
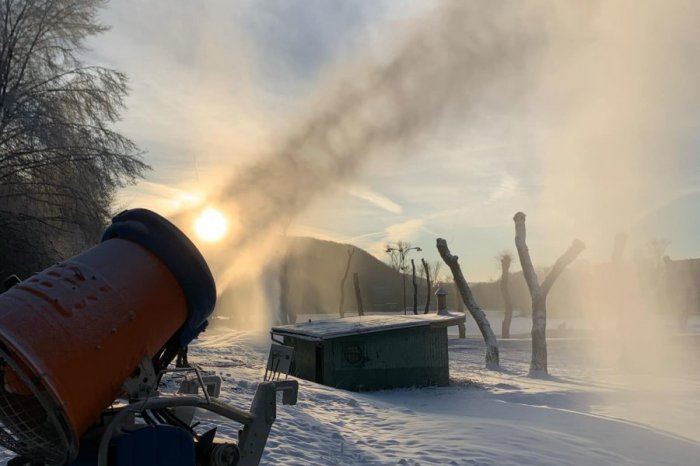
<point>603,404</point>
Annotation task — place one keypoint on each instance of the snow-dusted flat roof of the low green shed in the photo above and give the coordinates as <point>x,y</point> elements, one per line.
<point>334,328</point>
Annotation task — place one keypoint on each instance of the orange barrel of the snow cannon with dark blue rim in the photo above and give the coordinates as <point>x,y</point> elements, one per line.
<point>71,335</point>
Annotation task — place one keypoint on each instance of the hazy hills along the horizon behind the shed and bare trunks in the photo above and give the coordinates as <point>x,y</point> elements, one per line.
<point>315,269</point>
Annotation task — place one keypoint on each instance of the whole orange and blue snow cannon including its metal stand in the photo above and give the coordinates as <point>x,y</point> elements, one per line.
<point>85,343</point>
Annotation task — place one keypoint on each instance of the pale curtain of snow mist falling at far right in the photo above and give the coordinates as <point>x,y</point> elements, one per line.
<point>616,126</point>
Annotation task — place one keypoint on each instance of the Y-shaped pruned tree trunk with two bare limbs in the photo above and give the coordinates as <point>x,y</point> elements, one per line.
<point>538,293</point>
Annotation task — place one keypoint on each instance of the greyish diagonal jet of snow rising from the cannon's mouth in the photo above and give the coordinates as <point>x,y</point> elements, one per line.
<point>446,65</point>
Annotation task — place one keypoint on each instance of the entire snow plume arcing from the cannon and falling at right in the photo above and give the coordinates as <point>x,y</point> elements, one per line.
<point>605,89</point>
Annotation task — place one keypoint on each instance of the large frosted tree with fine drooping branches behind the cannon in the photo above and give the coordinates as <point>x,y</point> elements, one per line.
<point>60,162</point>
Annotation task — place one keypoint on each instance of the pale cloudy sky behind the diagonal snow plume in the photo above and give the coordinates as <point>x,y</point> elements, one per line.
<point>585,121</point>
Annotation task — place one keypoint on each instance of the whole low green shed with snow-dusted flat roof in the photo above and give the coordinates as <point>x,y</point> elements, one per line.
<point>371,352</point>
